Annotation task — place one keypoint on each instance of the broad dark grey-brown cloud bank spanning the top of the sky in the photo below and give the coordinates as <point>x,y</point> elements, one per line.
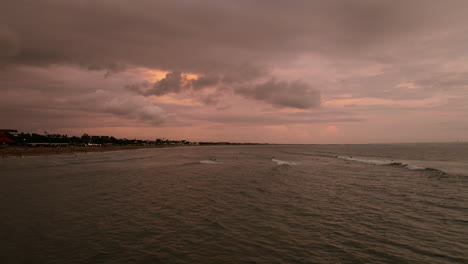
<point>208,37</point>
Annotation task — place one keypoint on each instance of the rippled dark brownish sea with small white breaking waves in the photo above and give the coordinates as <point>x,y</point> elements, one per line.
<point>239,204</point>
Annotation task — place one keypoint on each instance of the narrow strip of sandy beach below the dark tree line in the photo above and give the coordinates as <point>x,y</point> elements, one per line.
<point>19,151</point>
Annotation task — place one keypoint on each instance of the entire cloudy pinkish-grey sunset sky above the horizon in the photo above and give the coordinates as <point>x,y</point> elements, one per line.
<point>290,71</point>
